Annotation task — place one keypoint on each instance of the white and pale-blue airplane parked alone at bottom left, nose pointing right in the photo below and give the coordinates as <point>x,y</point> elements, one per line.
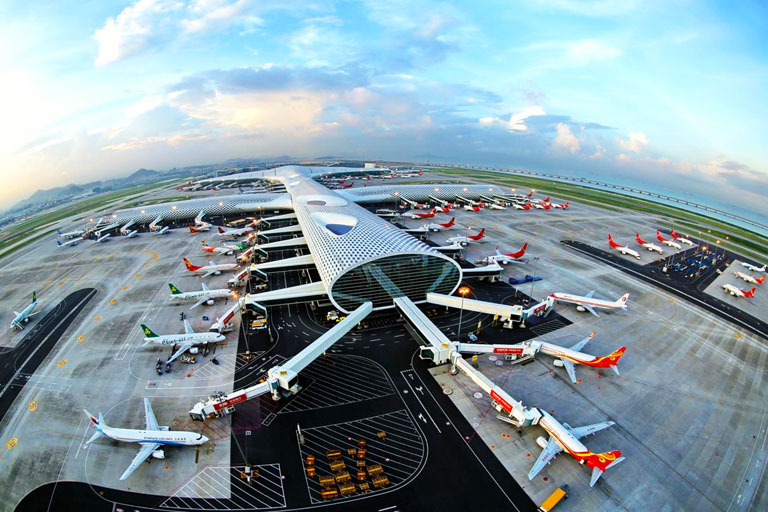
<point>152,437</point>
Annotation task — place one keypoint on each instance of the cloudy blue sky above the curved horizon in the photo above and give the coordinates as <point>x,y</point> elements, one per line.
<point>673,95</point>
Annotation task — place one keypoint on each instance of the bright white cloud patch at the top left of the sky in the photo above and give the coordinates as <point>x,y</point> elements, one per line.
<point>133,30</point>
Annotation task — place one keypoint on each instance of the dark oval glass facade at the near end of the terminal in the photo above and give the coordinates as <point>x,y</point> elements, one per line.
<point>381,280</point>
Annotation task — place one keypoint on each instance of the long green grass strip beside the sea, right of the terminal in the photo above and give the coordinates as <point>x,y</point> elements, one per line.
<point>700,226</point>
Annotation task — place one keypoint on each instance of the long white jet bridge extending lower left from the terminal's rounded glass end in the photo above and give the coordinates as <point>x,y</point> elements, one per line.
<point>281,379</point>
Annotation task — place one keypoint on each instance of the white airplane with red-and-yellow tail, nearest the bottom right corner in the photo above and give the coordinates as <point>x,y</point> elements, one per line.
<point>563,437</point>
